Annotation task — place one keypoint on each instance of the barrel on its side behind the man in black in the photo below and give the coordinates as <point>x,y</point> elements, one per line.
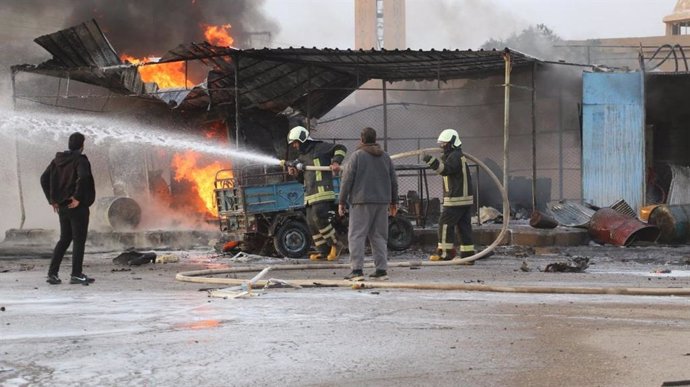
<point>117,212</point>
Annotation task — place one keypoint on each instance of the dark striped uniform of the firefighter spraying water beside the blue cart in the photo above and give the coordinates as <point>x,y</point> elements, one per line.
<point>319,195</point>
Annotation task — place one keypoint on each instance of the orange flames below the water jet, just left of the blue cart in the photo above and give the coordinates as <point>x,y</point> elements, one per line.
<point>187,167</point>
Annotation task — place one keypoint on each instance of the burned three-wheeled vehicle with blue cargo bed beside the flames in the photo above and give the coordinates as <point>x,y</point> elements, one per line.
<point>261,211</point>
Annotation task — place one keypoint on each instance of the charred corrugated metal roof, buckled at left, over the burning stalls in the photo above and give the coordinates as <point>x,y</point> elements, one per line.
<point>307,79</point>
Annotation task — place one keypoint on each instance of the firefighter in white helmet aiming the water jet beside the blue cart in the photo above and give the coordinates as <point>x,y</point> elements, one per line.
<point>319,195</point>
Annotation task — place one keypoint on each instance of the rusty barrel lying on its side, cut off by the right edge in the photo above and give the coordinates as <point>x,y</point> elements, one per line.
<point>673,221</point>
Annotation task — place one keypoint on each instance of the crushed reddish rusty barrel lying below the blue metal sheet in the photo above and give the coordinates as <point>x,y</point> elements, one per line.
<point>610,226</point>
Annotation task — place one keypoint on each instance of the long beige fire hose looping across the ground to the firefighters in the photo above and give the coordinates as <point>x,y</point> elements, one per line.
<point>203,276</point>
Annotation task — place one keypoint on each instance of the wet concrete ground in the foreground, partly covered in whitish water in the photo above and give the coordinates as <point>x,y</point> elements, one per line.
<point>139,326</point>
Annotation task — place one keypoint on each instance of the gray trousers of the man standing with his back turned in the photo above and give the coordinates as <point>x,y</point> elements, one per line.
<point>368,221</point>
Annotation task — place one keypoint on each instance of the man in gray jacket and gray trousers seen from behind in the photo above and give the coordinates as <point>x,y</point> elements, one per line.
<point>369,186</point>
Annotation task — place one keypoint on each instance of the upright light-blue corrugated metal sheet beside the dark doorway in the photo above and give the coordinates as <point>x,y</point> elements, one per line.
<point>613,157</point>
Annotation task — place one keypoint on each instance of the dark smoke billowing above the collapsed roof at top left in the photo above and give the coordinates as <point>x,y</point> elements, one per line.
<point>152,27</point>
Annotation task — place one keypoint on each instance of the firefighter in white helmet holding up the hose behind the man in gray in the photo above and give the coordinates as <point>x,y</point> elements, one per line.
<point>456,215</point>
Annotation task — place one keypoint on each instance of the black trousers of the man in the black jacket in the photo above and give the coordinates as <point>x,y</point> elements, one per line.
<point>74,224</point>
